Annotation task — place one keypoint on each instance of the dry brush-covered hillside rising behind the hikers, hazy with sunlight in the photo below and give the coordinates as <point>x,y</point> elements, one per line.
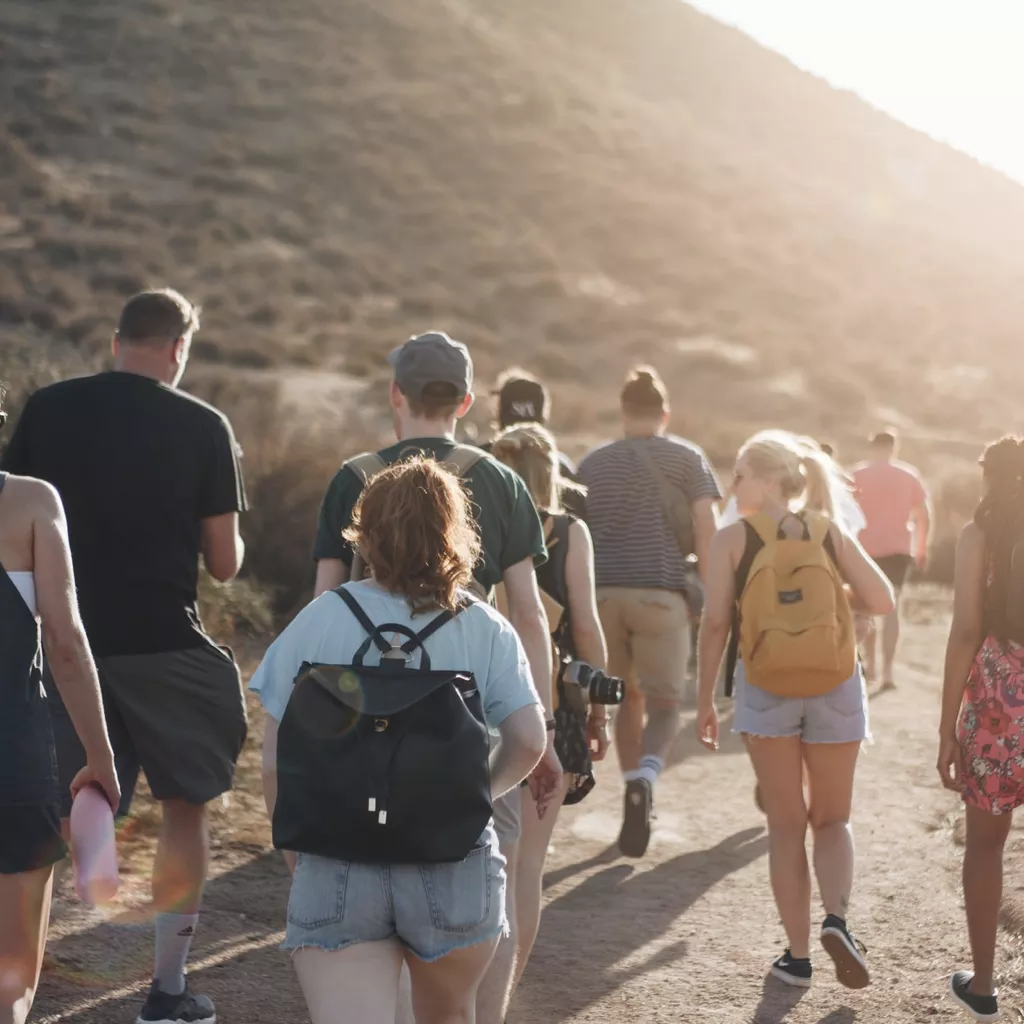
<point>571,186</point>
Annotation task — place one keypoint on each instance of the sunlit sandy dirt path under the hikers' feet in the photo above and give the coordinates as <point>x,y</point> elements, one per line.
<point>685,935</point>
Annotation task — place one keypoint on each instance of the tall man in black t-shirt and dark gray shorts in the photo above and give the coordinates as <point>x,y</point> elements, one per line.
<point>151,481</point>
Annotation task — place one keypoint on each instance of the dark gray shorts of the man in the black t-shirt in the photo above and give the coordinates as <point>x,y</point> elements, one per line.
<point>180,716</point>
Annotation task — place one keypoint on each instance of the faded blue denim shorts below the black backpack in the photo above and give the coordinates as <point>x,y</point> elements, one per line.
<point>433,910</point>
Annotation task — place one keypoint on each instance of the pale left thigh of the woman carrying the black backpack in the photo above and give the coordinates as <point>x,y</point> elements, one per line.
<point>354,986</point>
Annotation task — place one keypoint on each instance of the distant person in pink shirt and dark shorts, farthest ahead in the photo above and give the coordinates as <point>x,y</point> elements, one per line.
<point>897,507</point>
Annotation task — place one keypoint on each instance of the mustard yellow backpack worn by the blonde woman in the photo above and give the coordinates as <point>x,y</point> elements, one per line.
<point>796,627</point>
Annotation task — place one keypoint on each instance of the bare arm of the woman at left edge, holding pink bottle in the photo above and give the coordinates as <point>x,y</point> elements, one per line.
<point>67,649</point>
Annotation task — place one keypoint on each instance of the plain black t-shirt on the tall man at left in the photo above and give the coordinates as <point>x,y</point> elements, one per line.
<point>139,466</point>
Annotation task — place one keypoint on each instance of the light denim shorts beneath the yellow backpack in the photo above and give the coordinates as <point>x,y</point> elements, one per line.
<point>837,717</point>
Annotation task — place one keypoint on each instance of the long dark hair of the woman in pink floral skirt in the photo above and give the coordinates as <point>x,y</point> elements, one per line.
<point>1001,518</point>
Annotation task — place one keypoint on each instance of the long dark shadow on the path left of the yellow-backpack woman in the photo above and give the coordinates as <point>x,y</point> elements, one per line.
<point>584,938</point>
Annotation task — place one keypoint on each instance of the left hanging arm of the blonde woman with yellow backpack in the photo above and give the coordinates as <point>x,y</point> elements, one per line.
<point>716,621</point>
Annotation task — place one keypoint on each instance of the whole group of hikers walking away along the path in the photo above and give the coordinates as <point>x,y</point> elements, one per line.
<point>485,618</point>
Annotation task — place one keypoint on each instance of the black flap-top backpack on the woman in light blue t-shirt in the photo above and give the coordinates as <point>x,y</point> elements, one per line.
<point>383,764</point>
